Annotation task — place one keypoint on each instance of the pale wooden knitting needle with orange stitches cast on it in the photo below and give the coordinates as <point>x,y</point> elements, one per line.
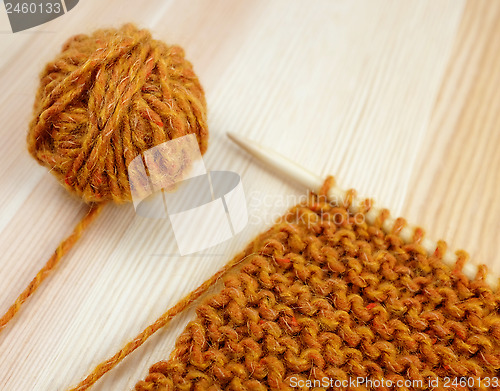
<point>286,167</point>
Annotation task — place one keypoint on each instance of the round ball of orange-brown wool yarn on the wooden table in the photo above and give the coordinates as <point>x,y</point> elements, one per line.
<point>107,98</point>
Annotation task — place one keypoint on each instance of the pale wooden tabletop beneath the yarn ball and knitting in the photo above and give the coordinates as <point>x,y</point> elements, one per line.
<point>396,99</point>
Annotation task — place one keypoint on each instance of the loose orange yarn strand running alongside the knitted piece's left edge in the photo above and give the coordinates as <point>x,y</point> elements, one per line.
<point>107,365</point>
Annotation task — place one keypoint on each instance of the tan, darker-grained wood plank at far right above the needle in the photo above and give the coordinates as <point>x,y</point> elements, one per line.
<point>456,183</point>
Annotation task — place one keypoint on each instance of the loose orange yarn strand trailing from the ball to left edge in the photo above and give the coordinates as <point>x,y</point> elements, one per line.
<point>63,248</point>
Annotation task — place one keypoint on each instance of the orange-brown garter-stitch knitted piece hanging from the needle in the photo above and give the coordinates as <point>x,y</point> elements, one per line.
<point>322,294</point>
